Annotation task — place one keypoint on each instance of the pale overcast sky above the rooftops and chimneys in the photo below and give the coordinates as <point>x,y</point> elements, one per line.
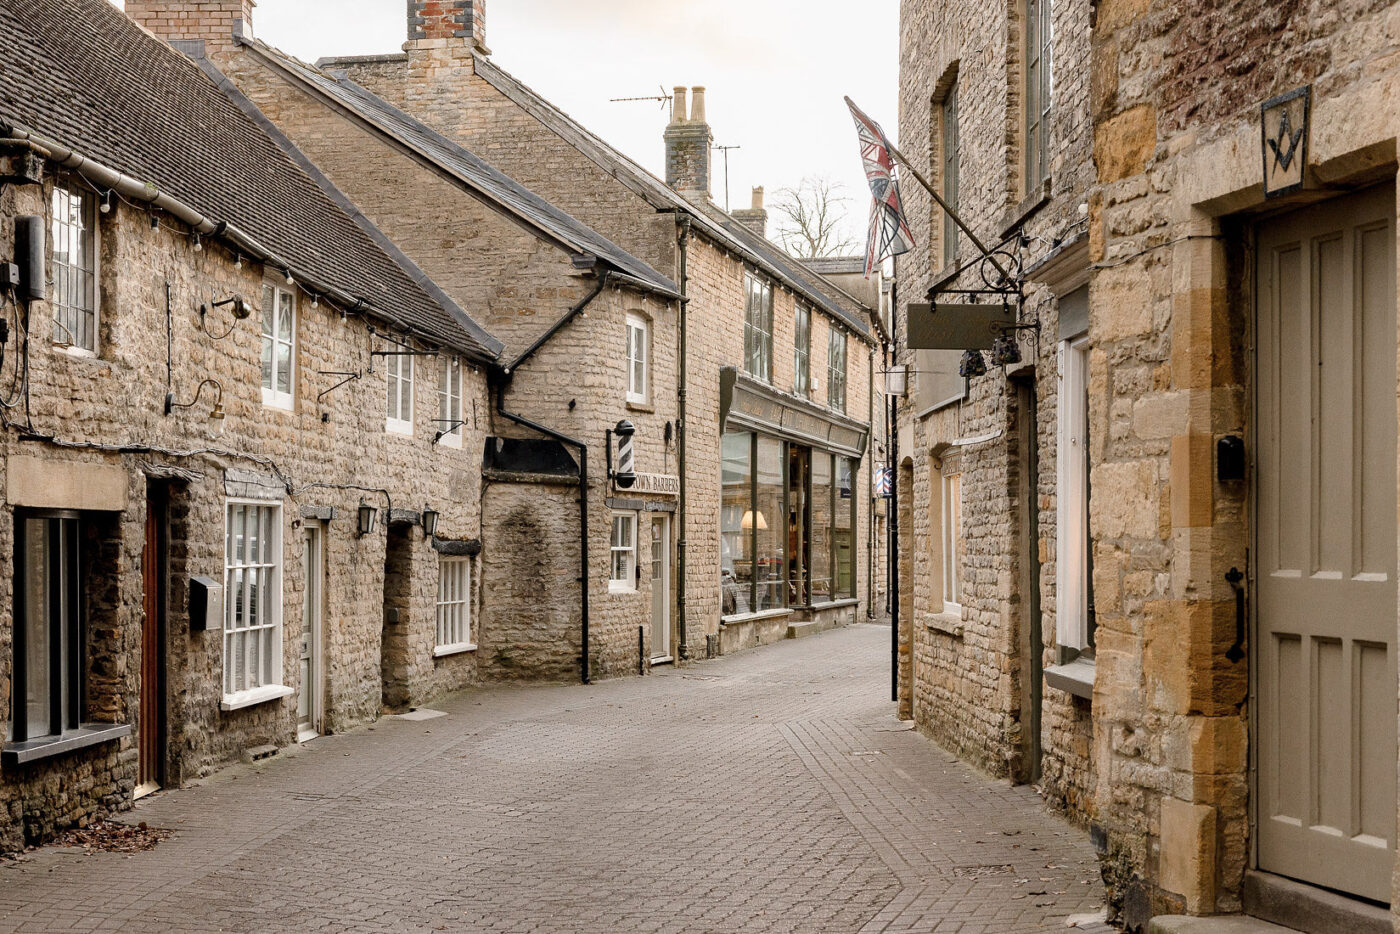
<point>775,72</point>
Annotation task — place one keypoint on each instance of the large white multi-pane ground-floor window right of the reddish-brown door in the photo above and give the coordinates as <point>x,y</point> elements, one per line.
<point>253,604</point>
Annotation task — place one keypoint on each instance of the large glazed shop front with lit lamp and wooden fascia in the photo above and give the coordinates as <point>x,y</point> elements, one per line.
<point>789,516</point>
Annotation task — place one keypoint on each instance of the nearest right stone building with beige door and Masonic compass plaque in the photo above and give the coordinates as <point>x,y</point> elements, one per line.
<point>1244,459</point>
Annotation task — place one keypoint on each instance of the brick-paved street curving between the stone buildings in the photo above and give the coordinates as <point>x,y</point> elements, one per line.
<point>765,792</point>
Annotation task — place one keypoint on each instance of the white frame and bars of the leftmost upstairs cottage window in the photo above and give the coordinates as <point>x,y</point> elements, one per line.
<point>73,278</point>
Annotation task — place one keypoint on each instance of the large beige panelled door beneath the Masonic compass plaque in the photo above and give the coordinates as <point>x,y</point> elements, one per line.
<point>1326,544</point>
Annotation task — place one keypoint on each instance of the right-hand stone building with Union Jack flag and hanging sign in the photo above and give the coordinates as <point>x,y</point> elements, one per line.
<point>996,624</point>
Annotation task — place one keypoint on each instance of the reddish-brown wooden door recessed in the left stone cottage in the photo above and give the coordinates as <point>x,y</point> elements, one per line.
<point>152,718</point>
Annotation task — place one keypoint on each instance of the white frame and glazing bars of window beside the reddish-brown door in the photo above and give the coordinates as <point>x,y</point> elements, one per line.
<point>271,610</point>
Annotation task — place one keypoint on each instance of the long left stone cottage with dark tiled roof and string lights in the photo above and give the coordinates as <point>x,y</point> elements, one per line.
<point>216,536</point>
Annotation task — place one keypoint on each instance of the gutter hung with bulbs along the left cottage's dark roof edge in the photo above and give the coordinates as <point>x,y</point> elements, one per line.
<point>107,177</point>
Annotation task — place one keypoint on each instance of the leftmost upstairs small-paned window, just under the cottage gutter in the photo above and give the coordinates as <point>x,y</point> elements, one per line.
<point>75,233</point>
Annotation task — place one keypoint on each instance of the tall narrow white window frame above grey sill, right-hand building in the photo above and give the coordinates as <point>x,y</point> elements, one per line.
<point>1073,495</point>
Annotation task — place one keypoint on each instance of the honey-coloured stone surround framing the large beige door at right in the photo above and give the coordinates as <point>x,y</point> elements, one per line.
<point>1172,730</point>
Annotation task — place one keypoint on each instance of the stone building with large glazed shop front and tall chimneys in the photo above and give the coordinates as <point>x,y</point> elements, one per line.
<point>775,365</point>
